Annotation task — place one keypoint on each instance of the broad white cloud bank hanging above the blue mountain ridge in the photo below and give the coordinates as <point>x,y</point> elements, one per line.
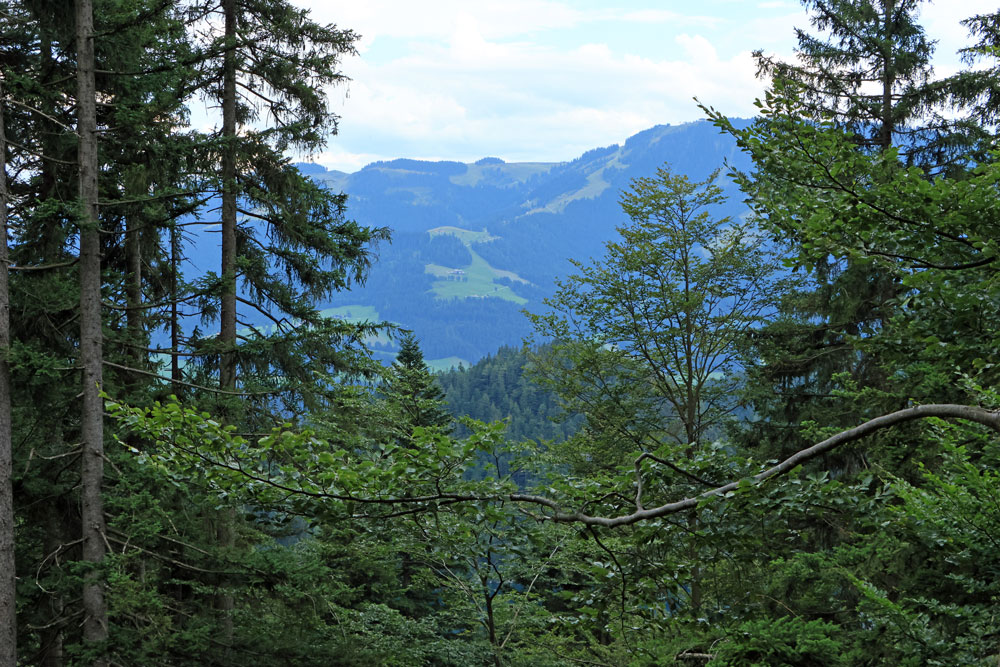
<point>521,101</point>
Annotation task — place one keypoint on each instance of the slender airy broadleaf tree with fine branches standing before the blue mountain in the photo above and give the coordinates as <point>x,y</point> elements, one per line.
<point>649,340</point>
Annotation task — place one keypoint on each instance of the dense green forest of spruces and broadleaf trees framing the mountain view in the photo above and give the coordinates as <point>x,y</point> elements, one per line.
<point>780,438</point>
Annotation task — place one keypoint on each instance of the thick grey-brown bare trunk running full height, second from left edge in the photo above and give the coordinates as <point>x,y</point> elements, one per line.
<point>95,622</point>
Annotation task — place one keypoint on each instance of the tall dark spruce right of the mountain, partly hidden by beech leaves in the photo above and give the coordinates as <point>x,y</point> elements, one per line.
<point>867,72</point>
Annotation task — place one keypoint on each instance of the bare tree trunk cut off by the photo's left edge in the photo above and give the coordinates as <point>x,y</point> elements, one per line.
<point>8,617</point>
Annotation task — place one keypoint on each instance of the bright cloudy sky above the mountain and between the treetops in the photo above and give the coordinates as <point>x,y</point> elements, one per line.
<point>546,80</point>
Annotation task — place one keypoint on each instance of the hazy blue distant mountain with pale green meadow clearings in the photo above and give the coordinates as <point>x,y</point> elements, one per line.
<point>474,244</point>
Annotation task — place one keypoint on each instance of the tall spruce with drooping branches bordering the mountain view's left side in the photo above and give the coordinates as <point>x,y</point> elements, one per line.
<point>285,240</point>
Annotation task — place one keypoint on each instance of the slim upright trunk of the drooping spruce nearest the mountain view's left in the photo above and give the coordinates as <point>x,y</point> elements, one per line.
<point>227,333</point>
